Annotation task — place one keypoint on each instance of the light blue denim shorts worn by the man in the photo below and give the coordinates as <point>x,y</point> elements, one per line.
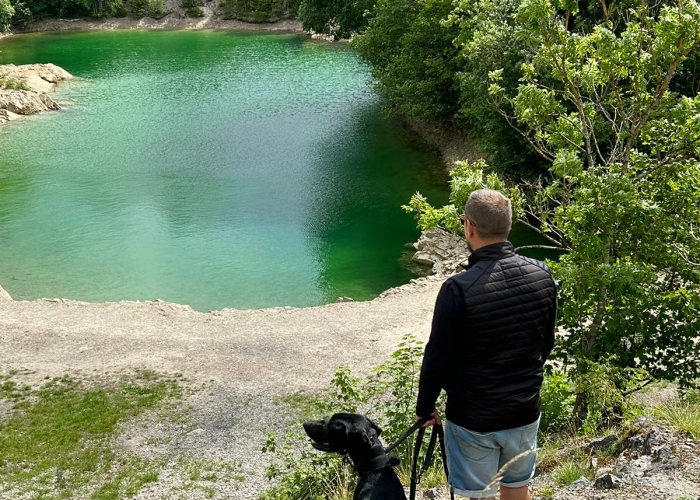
<point>474,459</point>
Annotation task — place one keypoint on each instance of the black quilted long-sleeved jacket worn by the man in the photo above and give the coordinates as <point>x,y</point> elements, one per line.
<point>493,329</point>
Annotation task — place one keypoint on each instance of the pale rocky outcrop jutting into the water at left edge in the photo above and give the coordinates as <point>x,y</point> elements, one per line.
<point>24,89</point>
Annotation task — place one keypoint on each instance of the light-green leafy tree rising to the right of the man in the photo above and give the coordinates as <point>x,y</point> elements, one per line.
<point>622,199</point>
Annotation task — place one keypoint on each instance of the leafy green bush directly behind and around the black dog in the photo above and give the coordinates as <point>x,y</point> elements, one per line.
<point>387,397</point>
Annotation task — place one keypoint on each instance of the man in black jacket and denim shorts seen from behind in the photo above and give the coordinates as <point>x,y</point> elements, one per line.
<point>492,331</point>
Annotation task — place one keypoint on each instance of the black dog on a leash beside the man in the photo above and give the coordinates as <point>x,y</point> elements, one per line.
<point>358,436</point>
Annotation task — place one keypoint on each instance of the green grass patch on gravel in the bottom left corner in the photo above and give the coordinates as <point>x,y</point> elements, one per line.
<point>56,440</point>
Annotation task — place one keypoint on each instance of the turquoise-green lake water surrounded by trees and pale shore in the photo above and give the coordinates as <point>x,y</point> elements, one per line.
<point>214,169</point>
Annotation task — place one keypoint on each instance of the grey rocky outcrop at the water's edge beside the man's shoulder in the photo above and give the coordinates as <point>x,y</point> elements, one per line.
<point>442,251</point>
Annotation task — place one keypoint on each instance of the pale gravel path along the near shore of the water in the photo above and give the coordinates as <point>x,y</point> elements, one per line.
<point>240,361</point>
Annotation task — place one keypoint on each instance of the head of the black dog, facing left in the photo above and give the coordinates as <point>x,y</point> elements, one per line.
<point>343,433</point>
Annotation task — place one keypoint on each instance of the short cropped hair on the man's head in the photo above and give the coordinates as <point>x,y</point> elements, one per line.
<point>491,213</point>
